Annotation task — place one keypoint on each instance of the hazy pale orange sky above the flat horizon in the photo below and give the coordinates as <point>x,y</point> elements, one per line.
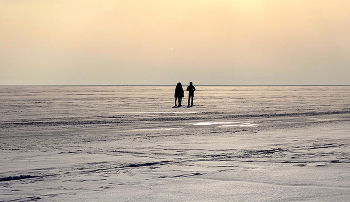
<point>222,42</point>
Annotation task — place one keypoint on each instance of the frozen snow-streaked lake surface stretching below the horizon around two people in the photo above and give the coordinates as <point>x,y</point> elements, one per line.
<point>128,143</point>
